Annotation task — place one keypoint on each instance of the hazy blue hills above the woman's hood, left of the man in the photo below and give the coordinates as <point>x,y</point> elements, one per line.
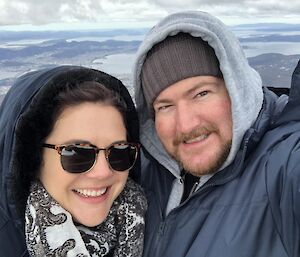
<point>16,61</point>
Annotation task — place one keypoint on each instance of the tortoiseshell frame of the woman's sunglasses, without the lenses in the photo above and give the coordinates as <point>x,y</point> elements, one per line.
<point>106,150</point>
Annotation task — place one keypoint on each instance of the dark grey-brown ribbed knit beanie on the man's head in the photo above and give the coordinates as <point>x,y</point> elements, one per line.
<point>176,58</point>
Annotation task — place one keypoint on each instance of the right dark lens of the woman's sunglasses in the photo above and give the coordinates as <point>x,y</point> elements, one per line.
<point>122,157</point>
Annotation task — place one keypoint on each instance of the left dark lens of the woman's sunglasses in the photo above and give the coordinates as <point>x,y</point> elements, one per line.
<point>77,159</point>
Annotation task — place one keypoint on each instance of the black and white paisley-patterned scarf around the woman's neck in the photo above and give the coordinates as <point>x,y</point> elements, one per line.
<point>50,230</point>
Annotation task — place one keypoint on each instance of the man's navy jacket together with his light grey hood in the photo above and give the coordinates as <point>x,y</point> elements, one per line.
<point>251,206</point>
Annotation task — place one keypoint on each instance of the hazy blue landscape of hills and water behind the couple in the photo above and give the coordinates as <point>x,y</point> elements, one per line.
<point>25,51</point>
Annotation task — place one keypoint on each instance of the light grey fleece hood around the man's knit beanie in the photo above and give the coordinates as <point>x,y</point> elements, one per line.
<point>243,82</point>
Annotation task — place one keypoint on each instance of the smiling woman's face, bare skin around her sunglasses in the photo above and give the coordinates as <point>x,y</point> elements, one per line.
<point>87,196</point>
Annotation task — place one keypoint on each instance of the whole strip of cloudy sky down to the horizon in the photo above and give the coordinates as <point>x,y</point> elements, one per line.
<point>70,14</point>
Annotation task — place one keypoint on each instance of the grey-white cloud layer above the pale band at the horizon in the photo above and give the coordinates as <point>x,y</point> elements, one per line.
<point>55,11</point>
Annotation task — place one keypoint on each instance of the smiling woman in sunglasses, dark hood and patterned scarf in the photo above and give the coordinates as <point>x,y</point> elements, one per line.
<point>68,140</point>
